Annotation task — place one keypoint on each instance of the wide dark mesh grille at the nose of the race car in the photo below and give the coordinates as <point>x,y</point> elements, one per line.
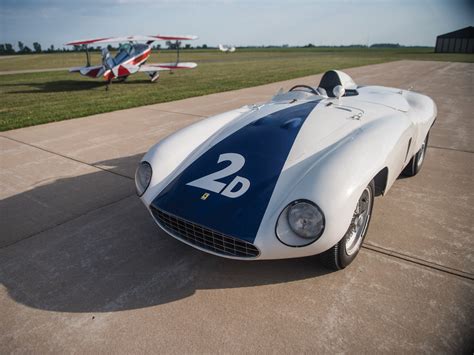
<point>204,237</point>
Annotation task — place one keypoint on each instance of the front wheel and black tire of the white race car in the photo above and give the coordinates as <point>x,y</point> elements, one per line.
<point>346,250</point>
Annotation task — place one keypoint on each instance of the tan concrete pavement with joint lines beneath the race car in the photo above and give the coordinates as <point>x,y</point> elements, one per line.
<point>83,268</point>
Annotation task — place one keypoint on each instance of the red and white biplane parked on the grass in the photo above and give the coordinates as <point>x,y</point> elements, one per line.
<point>131,58</point>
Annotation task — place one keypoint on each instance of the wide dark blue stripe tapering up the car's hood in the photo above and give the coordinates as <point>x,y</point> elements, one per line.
<point>265,145</point>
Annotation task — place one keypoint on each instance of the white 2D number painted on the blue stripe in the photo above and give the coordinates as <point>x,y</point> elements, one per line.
<point>210,183</point>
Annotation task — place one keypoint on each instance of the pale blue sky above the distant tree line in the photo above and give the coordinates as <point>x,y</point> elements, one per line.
<point>240,23</point>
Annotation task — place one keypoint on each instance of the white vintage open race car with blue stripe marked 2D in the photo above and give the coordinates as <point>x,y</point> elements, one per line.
<point>292,177</point>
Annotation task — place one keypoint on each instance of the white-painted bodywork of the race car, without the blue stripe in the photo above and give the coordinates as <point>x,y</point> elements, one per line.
<point>343,144</point>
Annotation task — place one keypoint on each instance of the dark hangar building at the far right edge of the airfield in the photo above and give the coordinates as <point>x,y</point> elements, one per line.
<point>460,41</point>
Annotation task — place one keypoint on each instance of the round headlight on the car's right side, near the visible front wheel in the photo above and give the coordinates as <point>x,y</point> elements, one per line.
<point>300,223</point>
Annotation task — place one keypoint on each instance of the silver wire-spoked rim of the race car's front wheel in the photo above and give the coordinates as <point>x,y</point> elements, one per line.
<point>360,221</point>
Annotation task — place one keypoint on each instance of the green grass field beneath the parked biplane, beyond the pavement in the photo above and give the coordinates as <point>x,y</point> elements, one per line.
<point>35,98</point>
